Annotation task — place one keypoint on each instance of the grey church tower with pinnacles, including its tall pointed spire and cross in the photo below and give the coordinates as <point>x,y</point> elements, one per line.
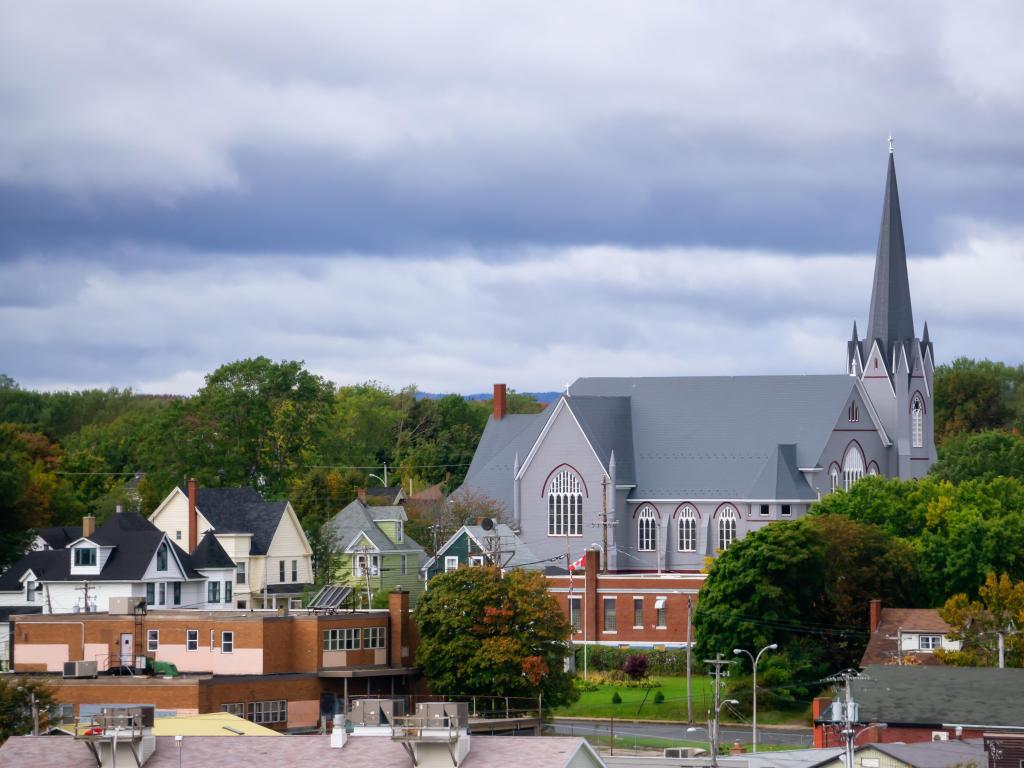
<point>895,367</point>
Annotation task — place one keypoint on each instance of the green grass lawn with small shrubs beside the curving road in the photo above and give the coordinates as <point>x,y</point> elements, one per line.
<point>634,707</point>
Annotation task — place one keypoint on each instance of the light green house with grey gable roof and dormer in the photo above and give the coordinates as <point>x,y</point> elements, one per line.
<point>371,551</point>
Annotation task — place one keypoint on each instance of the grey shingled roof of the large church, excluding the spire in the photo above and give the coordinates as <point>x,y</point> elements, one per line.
<point>687,438</point>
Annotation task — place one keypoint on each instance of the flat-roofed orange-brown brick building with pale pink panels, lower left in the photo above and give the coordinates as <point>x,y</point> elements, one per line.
<point>280,670</point>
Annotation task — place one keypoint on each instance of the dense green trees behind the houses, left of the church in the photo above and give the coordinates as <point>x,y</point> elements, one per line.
<point>273,425</point>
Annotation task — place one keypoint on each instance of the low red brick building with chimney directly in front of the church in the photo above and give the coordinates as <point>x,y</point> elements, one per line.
<point>644,611</point>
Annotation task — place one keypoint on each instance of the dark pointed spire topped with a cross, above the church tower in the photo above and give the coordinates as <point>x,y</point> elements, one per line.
<point>890,319</point>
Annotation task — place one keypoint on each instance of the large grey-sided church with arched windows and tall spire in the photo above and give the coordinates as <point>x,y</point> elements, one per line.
<point>671,471</point>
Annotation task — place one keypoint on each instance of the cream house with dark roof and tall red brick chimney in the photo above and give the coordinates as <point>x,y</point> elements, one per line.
<point>272,557</point>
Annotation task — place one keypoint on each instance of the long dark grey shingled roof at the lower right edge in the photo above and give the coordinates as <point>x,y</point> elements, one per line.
<point>984,697</point>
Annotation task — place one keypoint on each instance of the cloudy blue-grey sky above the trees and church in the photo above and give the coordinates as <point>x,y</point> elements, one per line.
<point>457,194</point>
